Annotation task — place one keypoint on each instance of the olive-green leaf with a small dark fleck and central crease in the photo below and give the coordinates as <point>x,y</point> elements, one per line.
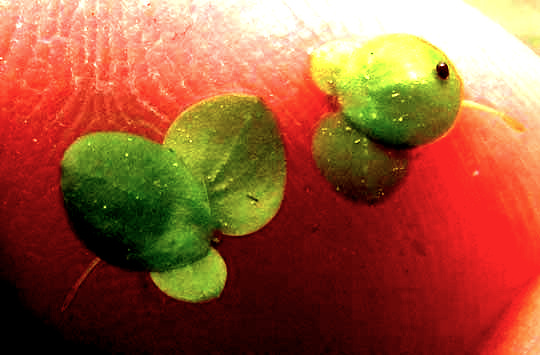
<point>233,144</point>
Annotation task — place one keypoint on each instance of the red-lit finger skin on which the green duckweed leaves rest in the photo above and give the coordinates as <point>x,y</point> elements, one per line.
<point>428,270</point>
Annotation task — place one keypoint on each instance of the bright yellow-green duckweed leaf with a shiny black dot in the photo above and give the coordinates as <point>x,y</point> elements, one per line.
<point>393,90</point>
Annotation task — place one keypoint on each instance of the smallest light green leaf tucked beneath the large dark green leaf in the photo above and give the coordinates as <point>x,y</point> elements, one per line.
<point>198,282</point>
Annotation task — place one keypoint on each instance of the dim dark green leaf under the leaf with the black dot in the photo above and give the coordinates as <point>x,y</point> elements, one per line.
<point>355,165</point>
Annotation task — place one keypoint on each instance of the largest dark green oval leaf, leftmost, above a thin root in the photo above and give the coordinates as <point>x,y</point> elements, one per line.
<point>134,203</point>
